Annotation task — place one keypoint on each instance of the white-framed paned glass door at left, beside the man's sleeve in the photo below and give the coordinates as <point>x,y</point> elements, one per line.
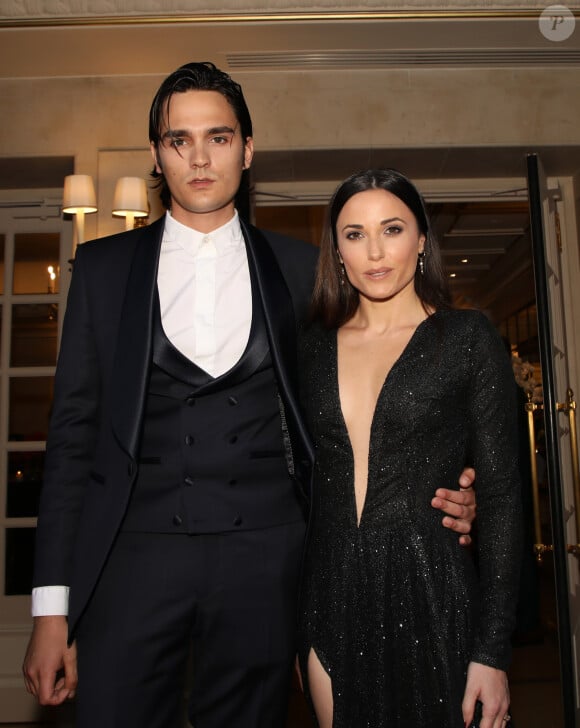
<point>34,275</point>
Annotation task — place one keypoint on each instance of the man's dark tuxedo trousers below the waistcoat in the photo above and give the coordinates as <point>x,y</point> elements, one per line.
<point>227,599</point>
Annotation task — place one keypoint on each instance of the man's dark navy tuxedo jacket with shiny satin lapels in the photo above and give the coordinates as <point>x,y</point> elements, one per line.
<point>101,385</point>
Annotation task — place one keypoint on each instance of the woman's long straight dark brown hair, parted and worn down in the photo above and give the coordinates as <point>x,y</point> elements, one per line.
<point>334,300</point>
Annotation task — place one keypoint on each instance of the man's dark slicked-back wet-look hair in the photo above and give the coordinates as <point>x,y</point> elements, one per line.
<point>203,76</point>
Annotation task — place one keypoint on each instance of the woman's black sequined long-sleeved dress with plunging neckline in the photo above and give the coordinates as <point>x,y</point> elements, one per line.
<point>394,608</point>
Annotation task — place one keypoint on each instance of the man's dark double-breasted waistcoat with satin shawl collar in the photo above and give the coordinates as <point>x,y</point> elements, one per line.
<point>212,455</point>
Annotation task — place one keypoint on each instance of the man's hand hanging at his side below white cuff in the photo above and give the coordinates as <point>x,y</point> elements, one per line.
<point>50,665</point>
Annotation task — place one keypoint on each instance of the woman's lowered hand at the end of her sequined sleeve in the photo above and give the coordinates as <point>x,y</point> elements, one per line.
<point>490,687</point>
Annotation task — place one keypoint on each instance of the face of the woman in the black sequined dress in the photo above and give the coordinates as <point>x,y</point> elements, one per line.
<point>378,241</point>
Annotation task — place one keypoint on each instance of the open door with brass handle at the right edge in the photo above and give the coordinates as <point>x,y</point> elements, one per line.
<point>560,438</point>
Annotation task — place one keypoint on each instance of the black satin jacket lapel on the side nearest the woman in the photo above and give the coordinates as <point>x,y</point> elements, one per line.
<point>277,306</point>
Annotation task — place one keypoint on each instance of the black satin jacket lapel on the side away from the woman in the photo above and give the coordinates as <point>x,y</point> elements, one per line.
<point>133,354</point>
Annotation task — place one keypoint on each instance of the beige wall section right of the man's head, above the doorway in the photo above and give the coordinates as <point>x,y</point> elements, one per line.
<point>415,108</point>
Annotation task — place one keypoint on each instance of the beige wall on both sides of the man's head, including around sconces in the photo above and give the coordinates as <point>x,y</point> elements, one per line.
<point>83,117</point>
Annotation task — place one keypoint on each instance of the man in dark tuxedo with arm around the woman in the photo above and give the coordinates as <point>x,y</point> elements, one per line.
<point>177,466</point>
